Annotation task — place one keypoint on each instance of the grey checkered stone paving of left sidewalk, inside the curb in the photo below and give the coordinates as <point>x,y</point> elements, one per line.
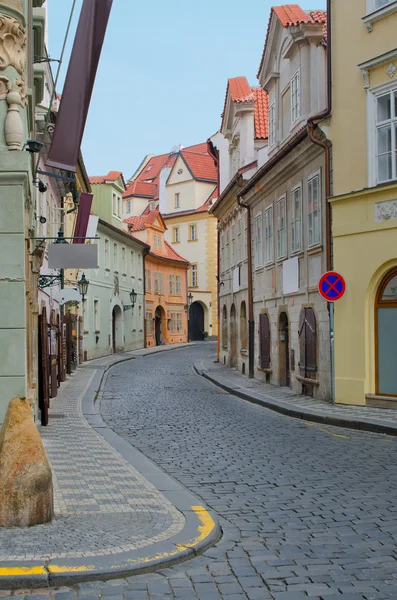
<point>91,480</point>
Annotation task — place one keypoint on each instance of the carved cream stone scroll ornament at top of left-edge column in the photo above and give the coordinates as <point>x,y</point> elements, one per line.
<point>12,44</point>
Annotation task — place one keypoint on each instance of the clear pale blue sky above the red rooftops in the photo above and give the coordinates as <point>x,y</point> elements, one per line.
<point>162,76</point>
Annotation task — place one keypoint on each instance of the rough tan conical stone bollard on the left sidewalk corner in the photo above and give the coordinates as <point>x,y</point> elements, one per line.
<point>26,495</point>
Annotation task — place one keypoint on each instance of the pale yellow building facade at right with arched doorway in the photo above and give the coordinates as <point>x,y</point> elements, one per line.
<point>364,200</point>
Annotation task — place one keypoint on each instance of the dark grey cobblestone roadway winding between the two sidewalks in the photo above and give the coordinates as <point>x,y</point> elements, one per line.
<point>307,510</point>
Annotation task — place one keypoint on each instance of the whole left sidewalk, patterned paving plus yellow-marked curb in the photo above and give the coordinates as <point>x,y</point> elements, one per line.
<point>116,512</point>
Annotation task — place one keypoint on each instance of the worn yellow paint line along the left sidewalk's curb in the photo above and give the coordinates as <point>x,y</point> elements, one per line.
<point>205,527</point>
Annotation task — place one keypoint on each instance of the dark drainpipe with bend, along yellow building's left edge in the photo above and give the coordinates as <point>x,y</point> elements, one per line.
<point>312,125</point>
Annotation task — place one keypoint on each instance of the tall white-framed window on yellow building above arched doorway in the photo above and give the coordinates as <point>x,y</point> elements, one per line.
<point>386,133</point>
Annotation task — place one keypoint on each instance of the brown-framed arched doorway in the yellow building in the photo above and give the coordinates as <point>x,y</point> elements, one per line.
<point>386,336</point>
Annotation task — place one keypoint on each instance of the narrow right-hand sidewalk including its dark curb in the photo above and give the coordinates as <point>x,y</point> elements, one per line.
<point>286,402</point>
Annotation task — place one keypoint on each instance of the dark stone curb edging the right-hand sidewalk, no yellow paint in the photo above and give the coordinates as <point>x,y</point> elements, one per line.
<point>374,426</point>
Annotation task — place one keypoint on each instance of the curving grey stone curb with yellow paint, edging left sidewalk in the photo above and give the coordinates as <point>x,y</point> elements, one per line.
<point>201,530</point>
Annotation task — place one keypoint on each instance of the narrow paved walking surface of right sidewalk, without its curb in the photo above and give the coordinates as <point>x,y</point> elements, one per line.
<point>287,397</point>
